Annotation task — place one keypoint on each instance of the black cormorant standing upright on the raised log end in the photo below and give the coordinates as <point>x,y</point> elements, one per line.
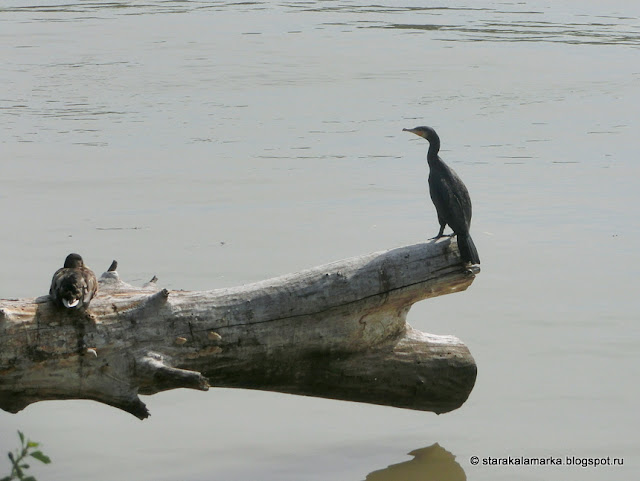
<point>450,196</point>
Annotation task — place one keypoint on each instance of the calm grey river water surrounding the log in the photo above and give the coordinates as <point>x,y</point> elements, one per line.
<point>218,143</point>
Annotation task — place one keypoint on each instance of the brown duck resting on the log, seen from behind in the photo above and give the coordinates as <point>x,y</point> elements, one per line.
<point>74,285</point>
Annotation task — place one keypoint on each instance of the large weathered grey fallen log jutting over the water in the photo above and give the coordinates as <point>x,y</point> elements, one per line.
<point>335,331</point>
